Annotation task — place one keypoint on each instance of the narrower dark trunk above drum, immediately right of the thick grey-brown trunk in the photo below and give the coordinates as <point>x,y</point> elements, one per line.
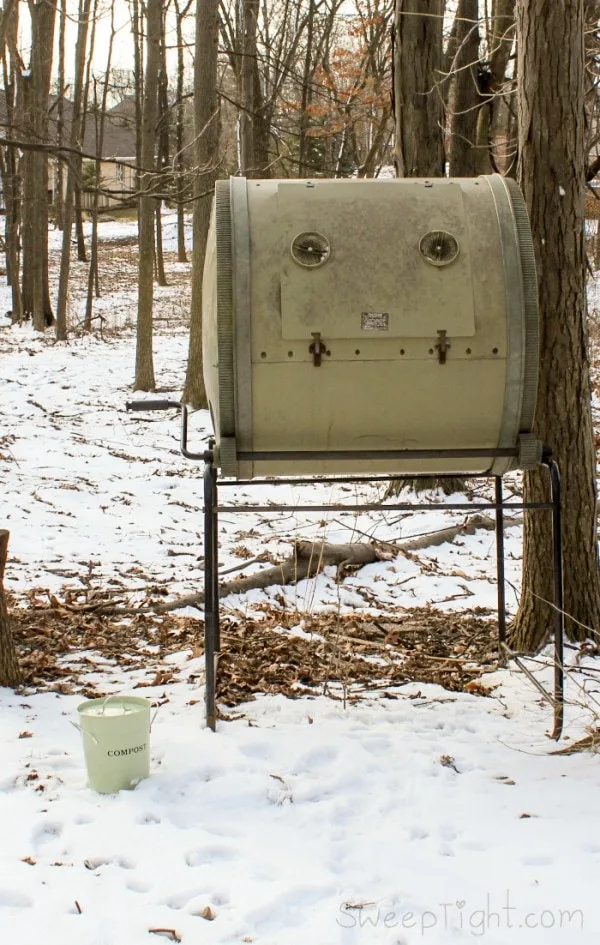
<point>465,100</point>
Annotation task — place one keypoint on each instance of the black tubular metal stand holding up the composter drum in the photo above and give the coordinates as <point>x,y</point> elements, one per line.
<point>211,605</point>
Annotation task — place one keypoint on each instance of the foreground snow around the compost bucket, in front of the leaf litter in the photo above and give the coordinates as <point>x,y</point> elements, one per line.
<point>427,819</point>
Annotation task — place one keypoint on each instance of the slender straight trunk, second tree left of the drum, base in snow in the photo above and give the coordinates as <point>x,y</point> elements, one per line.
<point>144,359</point>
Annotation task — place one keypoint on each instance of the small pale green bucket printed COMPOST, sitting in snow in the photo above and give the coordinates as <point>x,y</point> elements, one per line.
<point>116,741</point>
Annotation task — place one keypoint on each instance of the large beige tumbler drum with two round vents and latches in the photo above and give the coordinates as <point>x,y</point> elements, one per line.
<point>348,321</point>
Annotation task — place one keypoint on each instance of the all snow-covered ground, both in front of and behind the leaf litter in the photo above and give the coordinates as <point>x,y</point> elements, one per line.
<point>426,816</point>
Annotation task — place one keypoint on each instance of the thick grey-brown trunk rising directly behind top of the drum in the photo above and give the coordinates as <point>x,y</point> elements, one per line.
<point>419,107</point>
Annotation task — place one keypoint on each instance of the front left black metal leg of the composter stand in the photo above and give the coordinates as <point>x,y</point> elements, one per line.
<point>211,595</point>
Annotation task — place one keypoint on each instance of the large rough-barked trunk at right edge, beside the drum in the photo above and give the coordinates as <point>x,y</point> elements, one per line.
<point>552,176</point>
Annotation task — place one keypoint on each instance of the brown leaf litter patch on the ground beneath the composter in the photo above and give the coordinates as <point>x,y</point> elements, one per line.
<point>60,644</point>
